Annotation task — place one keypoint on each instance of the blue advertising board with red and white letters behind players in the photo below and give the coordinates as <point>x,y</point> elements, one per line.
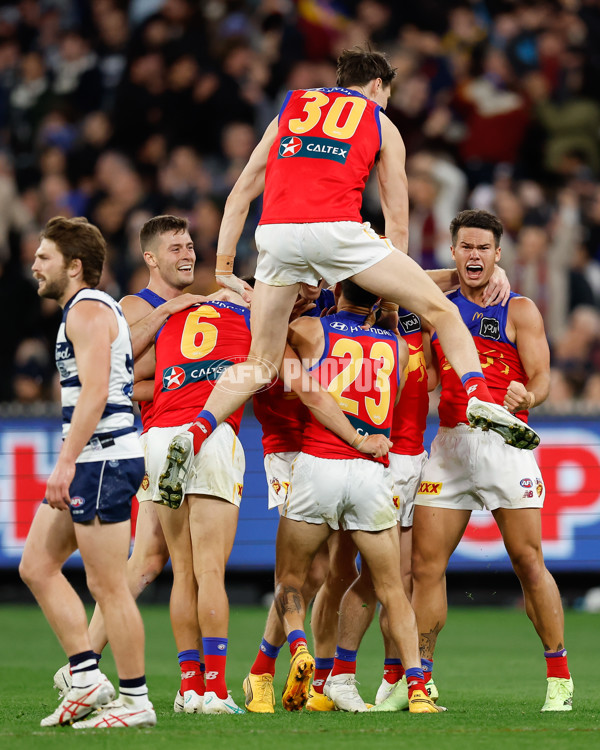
<point>569,459</point>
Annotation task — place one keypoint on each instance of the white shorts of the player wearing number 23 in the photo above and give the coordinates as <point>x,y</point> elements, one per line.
<point>354,493</point>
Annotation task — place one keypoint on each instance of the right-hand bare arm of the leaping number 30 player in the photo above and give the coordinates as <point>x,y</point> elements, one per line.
<point>393,184</point>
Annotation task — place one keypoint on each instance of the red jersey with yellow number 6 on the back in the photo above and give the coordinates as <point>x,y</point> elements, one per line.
<point>193,348</point>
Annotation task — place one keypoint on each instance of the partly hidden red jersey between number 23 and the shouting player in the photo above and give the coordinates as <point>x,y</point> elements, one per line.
<point>410,414</point>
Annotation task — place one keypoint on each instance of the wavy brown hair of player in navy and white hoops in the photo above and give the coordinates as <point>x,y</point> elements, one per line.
<point>78,239</point>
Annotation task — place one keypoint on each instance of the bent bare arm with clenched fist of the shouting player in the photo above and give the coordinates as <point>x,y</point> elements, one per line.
<point>534,353</point>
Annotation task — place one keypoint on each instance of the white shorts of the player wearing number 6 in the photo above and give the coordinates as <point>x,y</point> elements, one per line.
<point>218,470</point>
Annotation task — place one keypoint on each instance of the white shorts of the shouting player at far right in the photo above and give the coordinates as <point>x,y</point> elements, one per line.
<point>470,469</point>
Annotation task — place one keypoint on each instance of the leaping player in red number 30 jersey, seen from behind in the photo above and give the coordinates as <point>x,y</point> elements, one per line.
<point>312,163</point>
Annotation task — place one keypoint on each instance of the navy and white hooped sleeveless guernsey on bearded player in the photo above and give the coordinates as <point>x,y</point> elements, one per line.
<point>115,436</point>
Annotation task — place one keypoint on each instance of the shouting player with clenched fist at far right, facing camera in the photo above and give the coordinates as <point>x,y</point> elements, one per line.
<point>471,469</point>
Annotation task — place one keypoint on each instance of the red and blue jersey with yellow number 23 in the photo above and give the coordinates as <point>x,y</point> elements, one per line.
<point>360,370</point>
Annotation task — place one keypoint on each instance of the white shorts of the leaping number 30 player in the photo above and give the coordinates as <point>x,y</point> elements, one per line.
<point>332,250</point>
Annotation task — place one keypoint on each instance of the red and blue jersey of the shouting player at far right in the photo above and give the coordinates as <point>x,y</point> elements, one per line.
<point>500,361</point>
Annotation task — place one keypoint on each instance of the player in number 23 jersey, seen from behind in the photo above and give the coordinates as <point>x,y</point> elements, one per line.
<point>333,486</point>
